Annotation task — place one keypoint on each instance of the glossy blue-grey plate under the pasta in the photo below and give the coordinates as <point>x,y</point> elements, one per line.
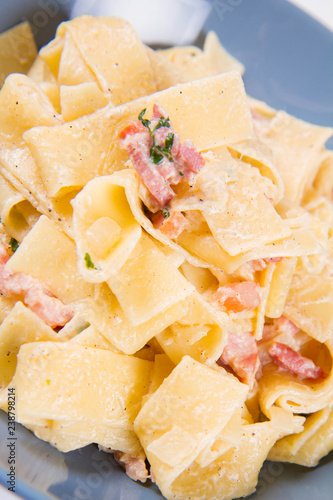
<point>288,58</point>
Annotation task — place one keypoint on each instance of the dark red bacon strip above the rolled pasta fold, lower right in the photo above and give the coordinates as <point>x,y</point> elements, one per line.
<point>290,360</point>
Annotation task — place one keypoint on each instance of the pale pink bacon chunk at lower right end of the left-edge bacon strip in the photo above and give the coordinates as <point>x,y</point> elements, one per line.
<point>47,307</point>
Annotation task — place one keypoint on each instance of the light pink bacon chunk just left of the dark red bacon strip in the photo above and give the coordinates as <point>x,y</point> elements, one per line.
<point>241,354</point>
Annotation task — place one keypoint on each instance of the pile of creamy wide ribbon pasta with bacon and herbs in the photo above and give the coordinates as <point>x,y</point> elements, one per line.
<point>166,262</point>
